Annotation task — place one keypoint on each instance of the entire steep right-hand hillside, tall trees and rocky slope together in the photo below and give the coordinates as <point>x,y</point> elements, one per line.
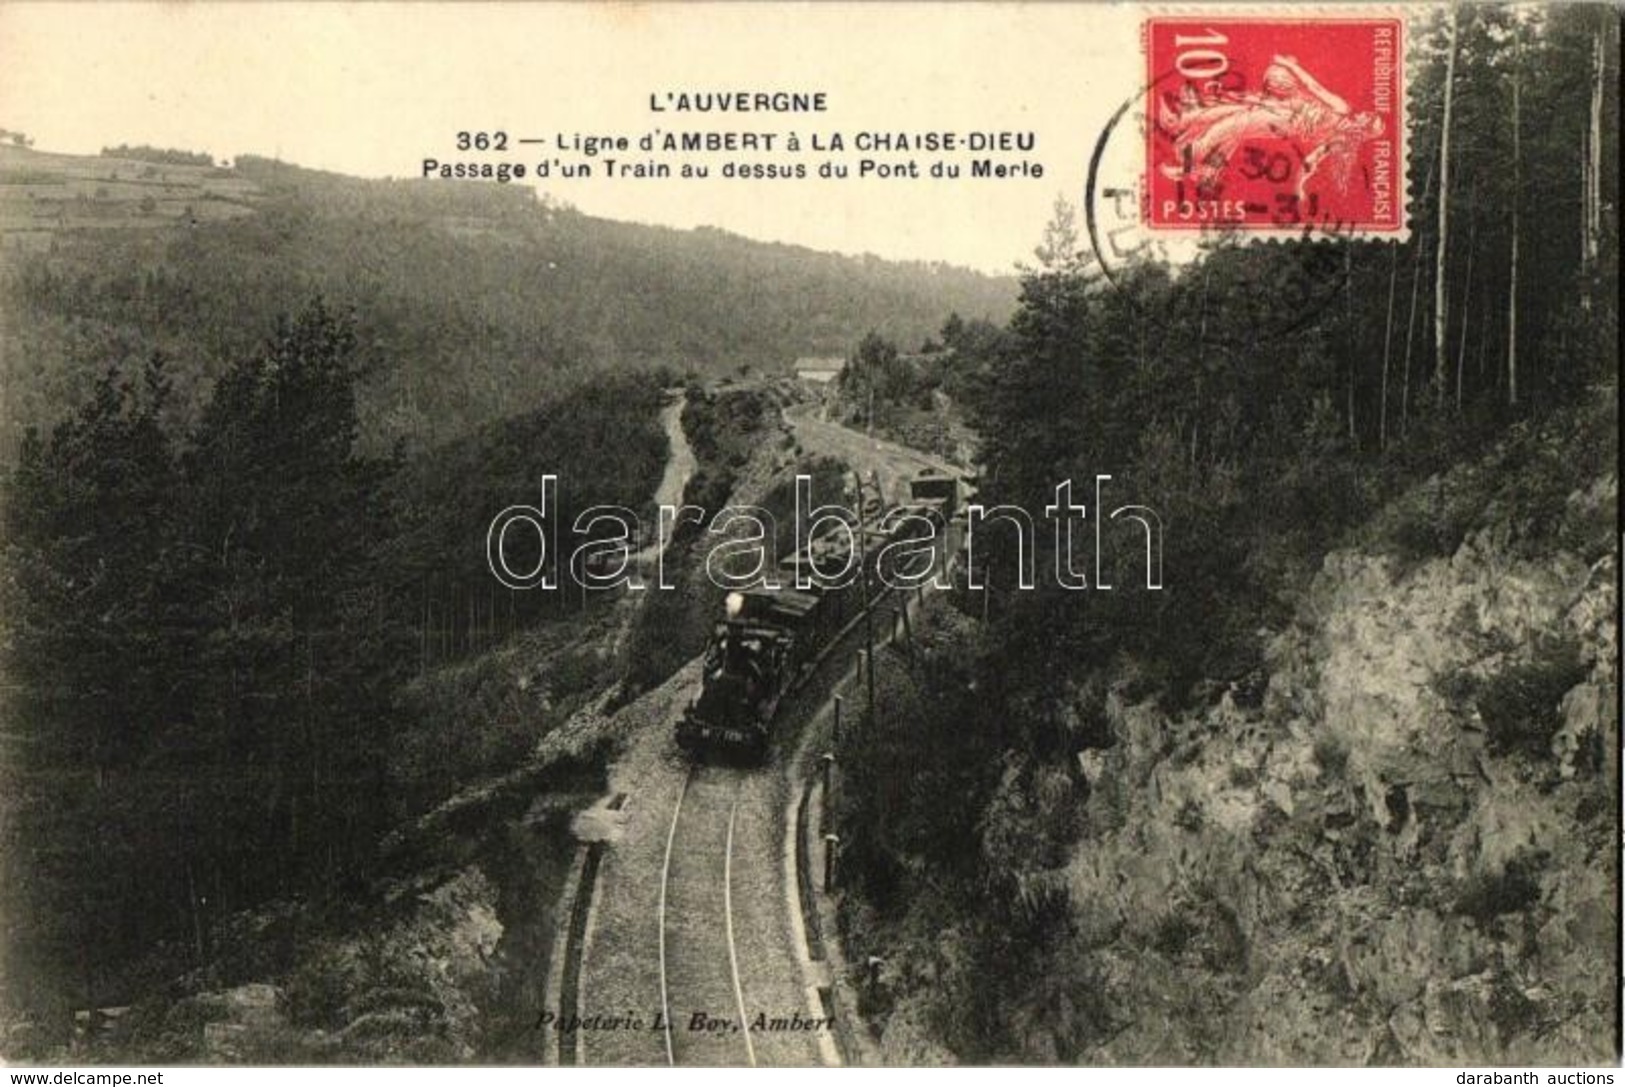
<point>1340,792</point>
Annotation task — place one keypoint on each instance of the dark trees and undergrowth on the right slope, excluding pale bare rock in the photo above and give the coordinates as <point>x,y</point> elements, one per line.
<point>1267,402</point>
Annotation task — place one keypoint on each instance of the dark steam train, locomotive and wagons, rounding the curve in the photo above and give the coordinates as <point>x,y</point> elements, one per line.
<point>769,639</point>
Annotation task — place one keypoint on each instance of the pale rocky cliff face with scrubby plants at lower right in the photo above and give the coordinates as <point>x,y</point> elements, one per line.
<point>1397,847</point>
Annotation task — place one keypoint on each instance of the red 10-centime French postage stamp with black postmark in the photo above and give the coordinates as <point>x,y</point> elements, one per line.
<point>1278,126</point>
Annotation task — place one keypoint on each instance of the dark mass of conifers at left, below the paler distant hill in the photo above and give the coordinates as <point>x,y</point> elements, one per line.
<point>209,633</point>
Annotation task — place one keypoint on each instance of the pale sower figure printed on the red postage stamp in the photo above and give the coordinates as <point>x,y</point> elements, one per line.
<point>1291,106</point>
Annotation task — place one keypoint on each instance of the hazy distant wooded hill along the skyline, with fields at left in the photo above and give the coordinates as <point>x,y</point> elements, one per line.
<point>472,301</point>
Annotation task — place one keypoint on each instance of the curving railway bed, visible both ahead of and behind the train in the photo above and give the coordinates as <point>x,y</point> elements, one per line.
<point>709,964</point>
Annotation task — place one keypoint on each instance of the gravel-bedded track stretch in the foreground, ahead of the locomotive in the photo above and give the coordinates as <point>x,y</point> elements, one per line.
<point>701,961</point>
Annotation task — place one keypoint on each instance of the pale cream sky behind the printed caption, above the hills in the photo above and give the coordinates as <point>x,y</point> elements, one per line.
<point>373,90</point>
